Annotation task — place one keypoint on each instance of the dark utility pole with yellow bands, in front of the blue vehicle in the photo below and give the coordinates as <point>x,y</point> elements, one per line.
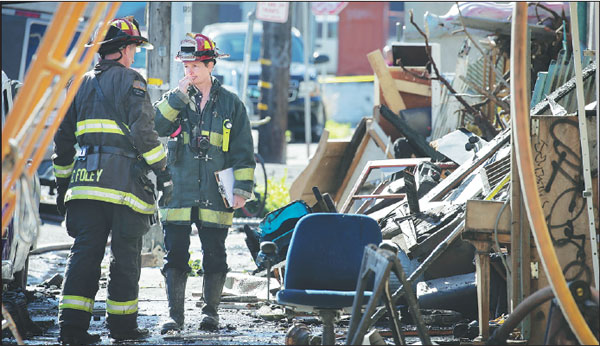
<point>274,89</point>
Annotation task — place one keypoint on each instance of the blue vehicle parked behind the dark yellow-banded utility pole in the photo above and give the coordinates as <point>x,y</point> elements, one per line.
<point>230,38</point>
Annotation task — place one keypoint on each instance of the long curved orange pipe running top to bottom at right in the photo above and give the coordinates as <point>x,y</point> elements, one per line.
<point>521,131</point>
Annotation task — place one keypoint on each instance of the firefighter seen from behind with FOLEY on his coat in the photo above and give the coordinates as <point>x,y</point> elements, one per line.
<point>103,187</point>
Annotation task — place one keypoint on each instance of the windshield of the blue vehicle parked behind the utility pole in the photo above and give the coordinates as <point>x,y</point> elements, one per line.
<point>233,44</point>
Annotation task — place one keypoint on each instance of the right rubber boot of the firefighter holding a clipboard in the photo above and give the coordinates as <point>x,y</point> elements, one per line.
<point>212,290</point>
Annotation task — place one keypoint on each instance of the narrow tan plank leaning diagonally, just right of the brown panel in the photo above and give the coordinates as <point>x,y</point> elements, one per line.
<point>368,149</point>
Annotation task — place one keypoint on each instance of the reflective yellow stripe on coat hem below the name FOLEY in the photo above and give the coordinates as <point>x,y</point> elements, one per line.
<point>111,196</point>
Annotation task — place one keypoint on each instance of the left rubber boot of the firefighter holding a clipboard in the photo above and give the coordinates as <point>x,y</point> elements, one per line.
<point>175,281</point>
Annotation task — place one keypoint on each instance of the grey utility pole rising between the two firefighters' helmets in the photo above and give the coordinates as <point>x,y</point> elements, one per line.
<point>159,58</point>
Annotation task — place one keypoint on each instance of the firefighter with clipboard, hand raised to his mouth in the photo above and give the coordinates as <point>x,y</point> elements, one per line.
<point>208,131</point>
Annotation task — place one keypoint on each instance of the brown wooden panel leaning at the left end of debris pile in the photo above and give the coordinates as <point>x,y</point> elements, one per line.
<point>322,171</point>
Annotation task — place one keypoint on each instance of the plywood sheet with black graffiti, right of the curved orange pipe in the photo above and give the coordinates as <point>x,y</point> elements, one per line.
<point>558,170</point>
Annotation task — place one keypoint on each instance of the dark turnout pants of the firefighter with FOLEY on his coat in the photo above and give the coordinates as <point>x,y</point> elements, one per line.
<point>90,223</point>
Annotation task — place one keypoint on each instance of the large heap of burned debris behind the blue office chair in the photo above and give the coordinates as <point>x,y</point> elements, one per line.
<point>440,189</point>
